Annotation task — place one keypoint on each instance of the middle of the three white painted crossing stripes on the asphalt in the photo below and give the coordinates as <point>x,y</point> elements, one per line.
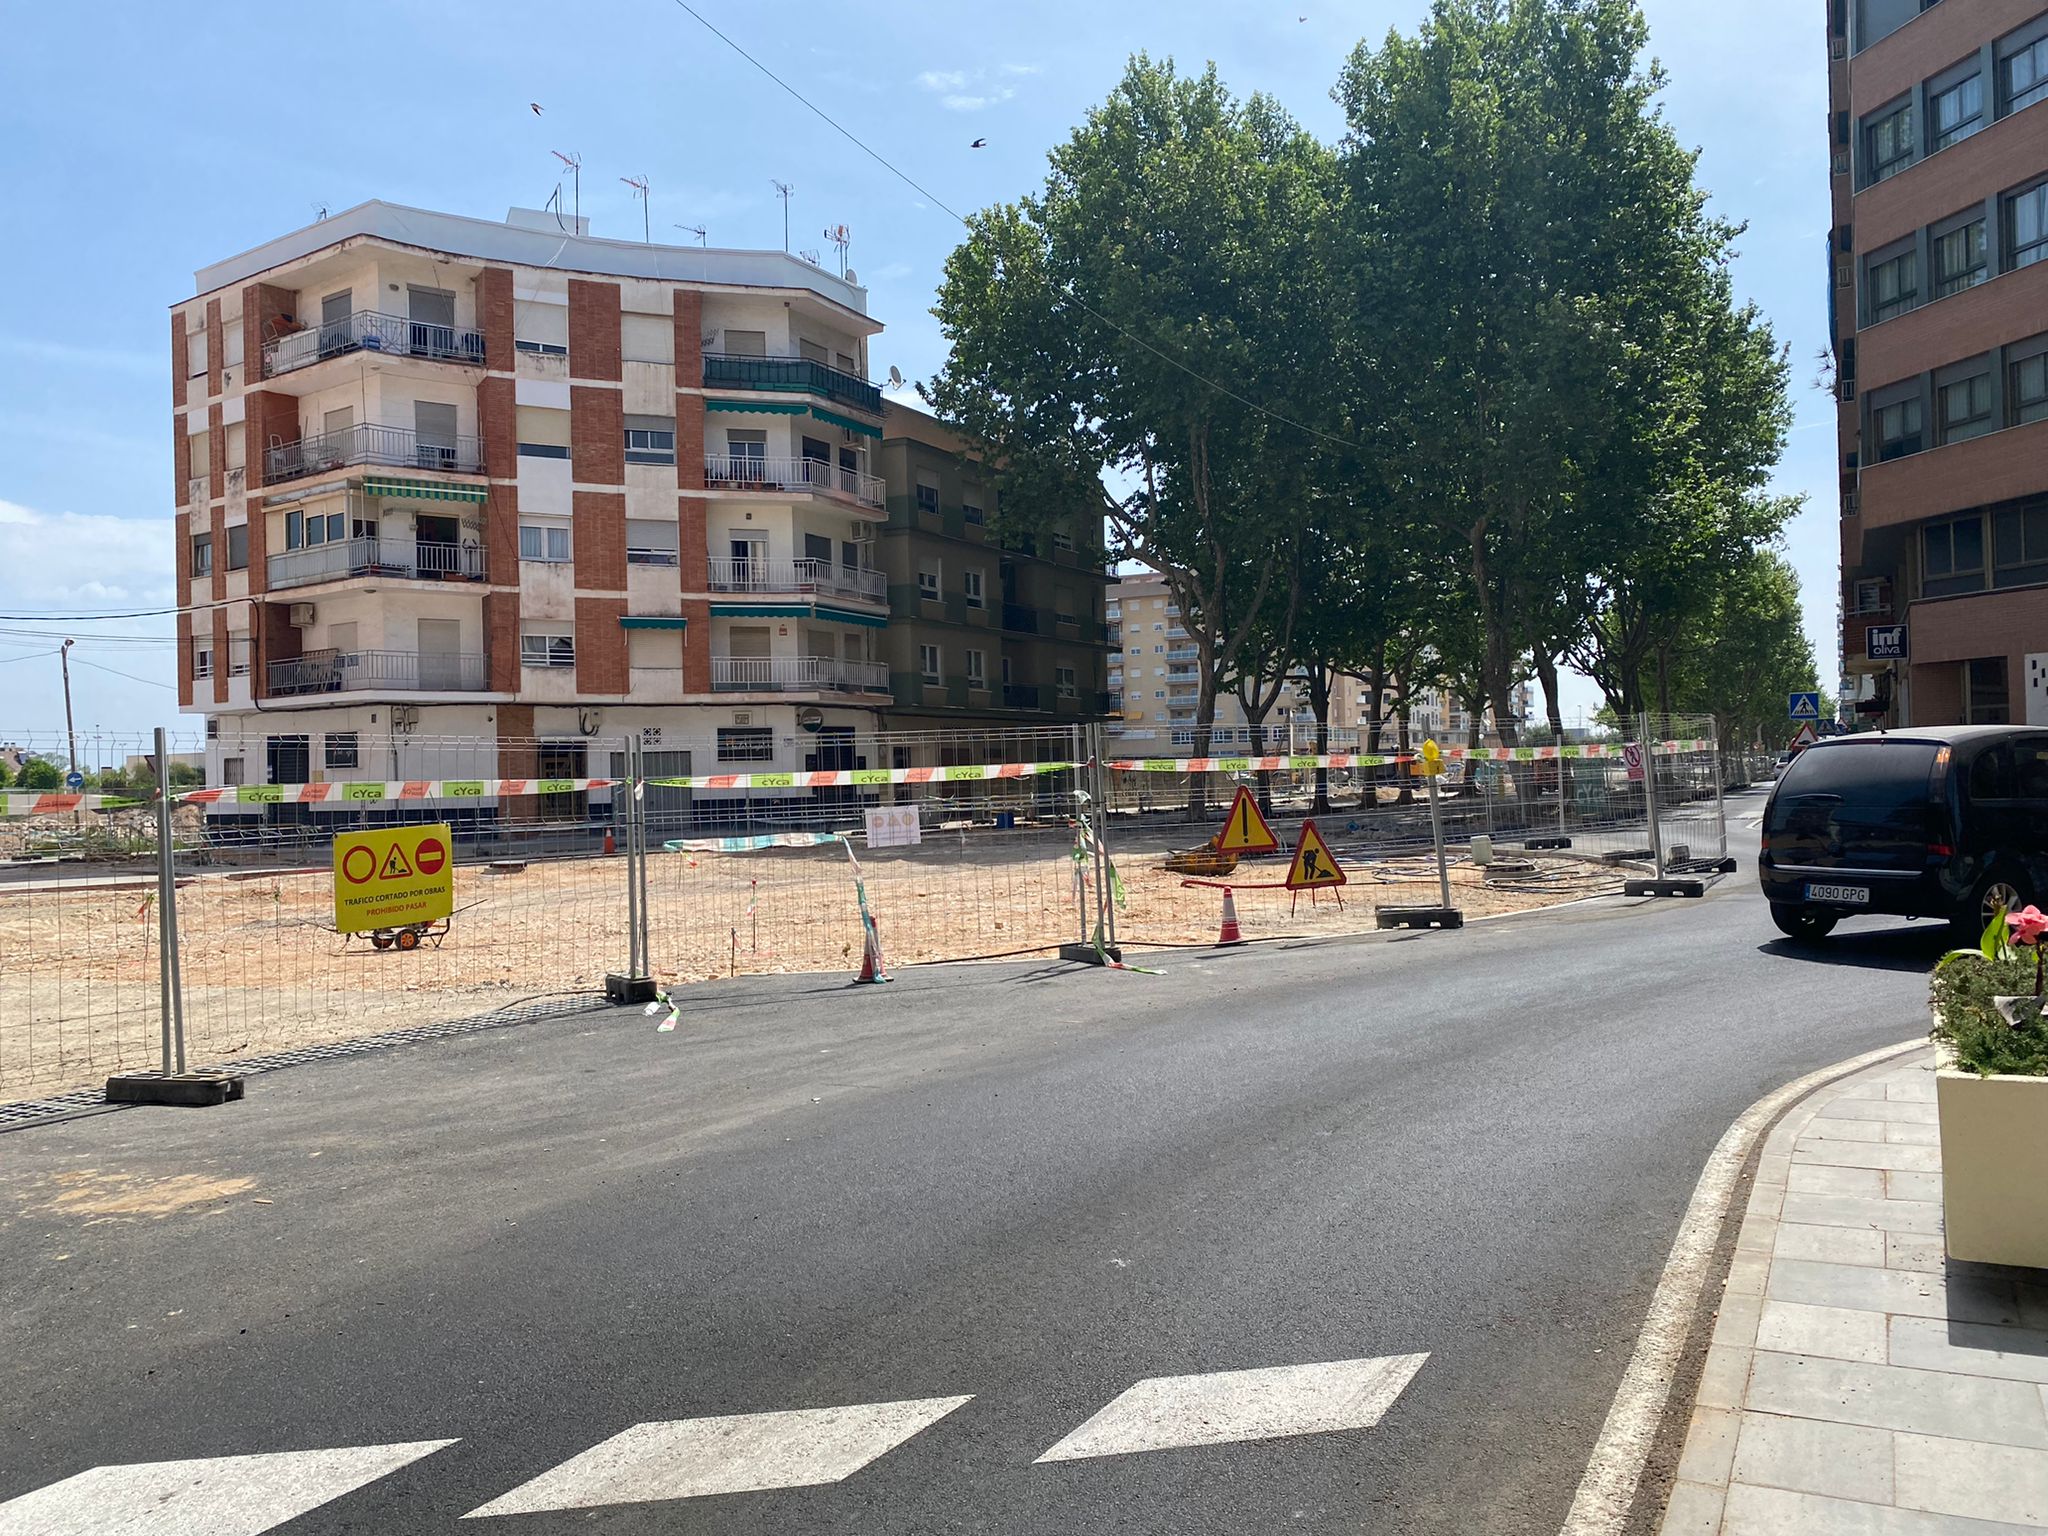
<point>742,1453</point>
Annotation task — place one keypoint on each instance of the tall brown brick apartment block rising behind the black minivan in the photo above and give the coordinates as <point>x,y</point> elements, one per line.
<point>1938,296</point>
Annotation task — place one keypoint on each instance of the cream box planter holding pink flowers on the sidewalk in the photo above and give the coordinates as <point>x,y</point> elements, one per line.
<point>1994,1166</point>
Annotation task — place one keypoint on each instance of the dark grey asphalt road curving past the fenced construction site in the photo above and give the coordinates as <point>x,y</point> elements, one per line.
<point>1031,1185</point>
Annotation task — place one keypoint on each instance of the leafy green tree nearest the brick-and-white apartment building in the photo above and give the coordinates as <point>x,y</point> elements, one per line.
<point>1152,323</point>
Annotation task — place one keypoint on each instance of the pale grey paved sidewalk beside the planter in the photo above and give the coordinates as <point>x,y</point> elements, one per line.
<point>1861,1383</point>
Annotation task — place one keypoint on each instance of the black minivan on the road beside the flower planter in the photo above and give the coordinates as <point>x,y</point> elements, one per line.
<point>1943,822</point>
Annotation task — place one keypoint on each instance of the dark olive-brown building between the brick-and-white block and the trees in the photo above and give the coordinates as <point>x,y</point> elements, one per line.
<point>984,630</point>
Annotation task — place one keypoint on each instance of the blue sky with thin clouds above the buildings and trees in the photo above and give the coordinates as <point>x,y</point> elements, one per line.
<point>151,140</point>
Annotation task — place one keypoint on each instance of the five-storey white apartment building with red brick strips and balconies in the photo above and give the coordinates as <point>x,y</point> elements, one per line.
<point>452,478</point>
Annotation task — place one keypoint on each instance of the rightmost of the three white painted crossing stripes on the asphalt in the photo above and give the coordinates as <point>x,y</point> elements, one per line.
<point>1228,1406</point>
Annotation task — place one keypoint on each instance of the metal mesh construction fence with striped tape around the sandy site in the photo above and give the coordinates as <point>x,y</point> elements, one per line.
<point>200,927</point>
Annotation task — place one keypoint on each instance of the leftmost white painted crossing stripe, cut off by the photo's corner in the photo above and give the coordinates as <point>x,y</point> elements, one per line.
<point>216,1496</point>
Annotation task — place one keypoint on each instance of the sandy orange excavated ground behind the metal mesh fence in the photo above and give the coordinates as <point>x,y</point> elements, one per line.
<point>79,988</point>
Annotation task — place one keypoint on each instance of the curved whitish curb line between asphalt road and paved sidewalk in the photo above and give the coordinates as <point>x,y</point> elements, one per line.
<point>1615,1471</point>
